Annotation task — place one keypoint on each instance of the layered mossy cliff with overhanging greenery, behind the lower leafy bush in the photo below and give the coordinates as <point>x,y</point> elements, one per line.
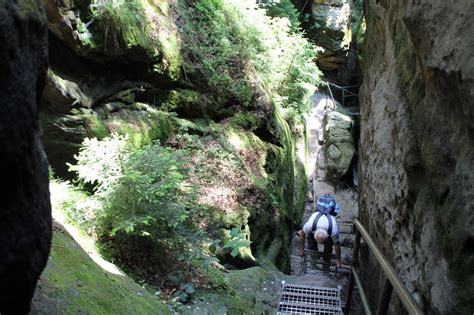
<point>189,75</point>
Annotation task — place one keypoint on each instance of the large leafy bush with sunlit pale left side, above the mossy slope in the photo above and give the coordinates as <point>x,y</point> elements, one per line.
<point>145,208</point>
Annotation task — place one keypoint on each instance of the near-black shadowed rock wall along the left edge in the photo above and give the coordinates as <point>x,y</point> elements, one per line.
<point>25,212</point>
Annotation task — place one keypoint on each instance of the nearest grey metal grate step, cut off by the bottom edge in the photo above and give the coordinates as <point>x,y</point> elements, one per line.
<point>301,299</point>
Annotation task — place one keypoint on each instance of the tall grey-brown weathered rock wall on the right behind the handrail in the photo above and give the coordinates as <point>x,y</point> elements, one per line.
<point>417,148</point>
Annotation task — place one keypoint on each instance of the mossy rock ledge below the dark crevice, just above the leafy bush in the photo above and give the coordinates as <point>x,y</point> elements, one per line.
<point>64,134</point>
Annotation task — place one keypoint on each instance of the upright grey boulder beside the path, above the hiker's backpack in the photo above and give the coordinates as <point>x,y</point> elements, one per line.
<point>338,143</point>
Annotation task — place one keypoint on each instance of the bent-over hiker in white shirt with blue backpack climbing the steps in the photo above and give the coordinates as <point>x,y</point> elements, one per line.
<point>322,228</point>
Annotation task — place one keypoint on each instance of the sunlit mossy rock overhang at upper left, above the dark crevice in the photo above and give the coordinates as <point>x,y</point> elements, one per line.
<point>137,31</point>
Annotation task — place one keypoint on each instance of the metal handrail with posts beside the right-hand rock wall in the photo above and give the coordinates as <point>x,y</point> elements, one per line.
<point>393,281</point>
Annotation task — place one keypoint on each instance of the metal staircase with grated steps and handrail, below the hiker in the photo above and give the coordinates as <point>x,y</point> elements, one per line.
<point>304,299</point>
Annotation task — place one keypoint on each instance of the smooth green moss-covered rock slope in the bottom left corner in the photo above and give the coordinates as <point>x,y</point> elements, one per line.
<point>73,283</point>
